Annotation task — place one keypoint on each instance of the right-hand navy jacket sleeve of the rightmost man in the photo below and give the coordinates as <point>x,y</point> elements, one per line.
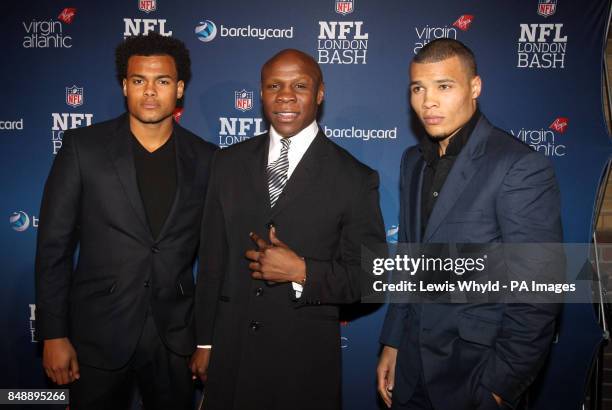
<point>528,209</point>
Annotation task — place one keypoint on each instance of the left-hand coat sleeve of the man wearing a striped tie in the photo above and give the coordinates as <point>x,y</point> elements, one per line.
<point>212,260</point>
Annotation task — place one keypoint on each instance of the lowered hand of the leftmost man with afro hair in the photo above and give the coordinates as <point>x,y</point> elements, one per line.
<point>60,361</point>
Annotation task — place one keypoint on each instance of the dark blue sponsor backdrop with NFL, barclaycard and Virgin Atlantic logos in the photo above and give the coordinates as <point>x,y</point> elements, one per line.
<point>540,63</point>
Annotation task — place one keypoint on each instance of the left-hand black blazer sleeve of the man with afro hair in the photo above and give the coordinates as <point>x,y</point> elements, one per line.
<point>56,242</point>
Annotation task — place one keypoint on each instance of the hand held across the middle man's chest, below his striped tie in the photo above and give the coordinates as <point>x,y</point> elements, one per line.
<point>275,261</point>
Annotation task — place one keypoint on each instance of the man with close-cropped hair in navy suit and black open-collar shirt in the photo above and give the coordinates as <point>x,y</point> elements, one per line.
<point>469,182</point>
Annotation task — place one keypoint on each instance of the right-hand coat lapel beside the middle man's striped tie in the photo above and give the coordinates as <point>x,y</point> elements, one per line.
<point>304,174</point>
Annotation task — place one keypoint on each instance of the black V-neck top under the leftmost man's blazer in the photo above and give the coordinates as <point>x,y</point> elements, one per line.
<point>156,176</point>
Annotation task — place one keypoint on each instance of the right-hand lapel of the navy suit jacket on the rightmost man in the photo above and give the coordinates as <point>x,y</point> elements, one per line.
<point>468,162</point>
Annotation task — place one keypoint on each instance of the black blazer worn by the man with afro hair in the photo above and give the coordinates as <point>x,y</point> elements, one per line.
<point>91,200</point>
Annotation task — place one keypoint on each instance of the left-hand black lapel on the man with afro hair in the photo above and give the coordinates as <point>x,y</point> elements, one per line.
<point>120,150</point>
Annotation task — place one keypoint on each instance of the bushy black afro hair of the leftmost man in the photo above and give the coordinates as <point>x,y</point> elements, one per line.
<point>153,44</point>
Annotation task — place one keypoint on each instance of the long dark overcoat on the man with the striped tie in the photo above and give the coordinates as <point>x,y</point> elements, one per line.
<point>269,350</point>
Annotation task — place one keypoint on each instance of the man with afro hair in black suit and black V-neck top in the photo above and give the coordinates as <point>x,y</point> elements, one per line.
<point>130,193</point>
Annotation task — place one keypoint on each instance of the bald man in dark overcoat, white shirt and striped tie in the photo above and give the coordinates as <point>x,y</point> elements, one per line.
<point>299,208</point>
